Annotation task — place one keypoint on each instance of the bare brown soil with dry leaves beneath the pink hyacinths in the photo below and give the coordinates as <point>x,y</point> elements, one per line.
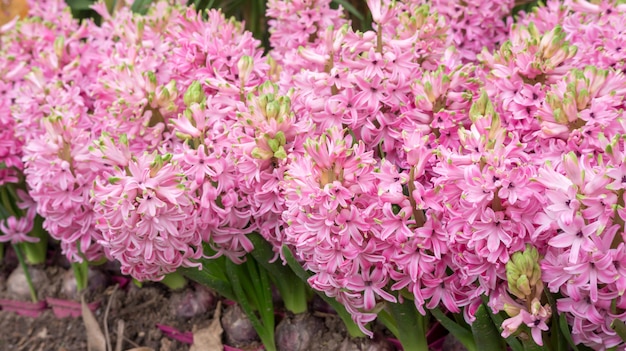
<point>142,308</point>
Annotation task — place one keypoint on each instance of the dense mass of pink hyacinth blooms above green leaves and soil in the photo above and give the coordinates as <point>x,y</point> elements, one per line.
<point>448,159</point>
